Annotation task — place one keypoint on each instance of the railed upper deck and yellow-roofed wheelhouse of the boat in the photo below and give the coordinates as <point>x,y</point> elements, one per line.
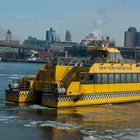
<point>98,54</point>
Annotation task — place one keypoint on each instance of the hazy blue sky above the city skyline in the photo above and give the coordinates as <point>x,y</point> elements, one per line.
<point>103,17</point>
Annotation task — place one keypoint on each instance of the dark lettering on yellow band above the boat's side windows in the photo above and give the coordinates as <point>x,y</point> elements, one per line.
<point>115,68</point>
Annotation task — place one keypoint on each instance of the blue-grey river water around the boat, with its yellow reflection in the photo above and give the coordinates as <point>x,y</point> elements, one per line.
<point>35,122</point>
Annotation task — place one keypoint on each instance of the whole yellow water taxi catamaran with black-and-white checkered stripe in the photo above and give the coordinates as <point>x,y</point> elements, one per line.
<point>103,78</point>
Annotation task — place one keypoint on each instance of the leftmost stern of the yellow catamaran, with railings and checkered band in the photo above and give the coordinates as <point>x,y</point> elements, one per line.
<point>20,91</point>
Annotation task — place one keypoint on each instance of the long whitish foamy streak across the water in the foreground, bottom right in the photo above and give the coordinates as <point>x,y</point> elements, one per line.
<point>88,133</point>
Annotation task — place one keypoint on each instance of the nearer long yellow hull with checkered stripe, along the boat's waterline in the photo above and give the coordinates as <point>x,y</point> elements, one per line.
<point>89,99</point>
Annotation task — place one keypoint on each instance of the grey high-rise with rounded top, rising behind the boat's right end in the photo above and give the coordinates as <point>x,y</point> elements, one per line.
<point>130,37</point>
